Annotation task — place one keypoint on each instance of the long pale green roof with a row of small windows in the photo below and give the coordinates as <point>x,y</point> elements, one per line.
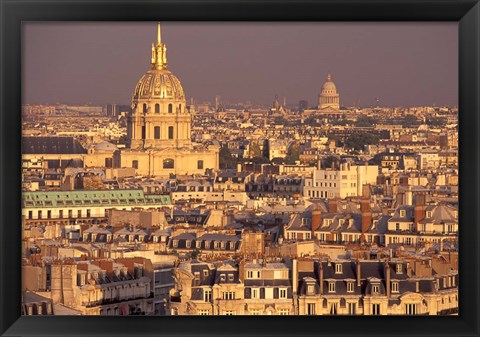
<point>93,198</point>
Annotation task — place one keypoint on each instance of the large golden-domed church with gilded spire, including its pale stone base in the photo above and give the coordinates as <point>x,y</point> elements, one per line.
<point>159,126</point>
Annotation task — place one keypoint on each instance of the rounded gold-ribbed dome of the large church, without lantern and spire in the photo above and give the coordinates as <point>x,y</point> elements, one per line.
<point>158,84</point>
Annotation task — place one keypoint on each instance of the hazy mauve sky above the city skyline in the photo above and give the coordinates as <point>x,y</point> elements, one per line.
<point>403,64</point>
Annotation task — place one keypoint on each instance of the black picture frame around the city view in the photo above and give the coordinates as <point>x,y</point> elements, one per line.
<point>14,12</point>
